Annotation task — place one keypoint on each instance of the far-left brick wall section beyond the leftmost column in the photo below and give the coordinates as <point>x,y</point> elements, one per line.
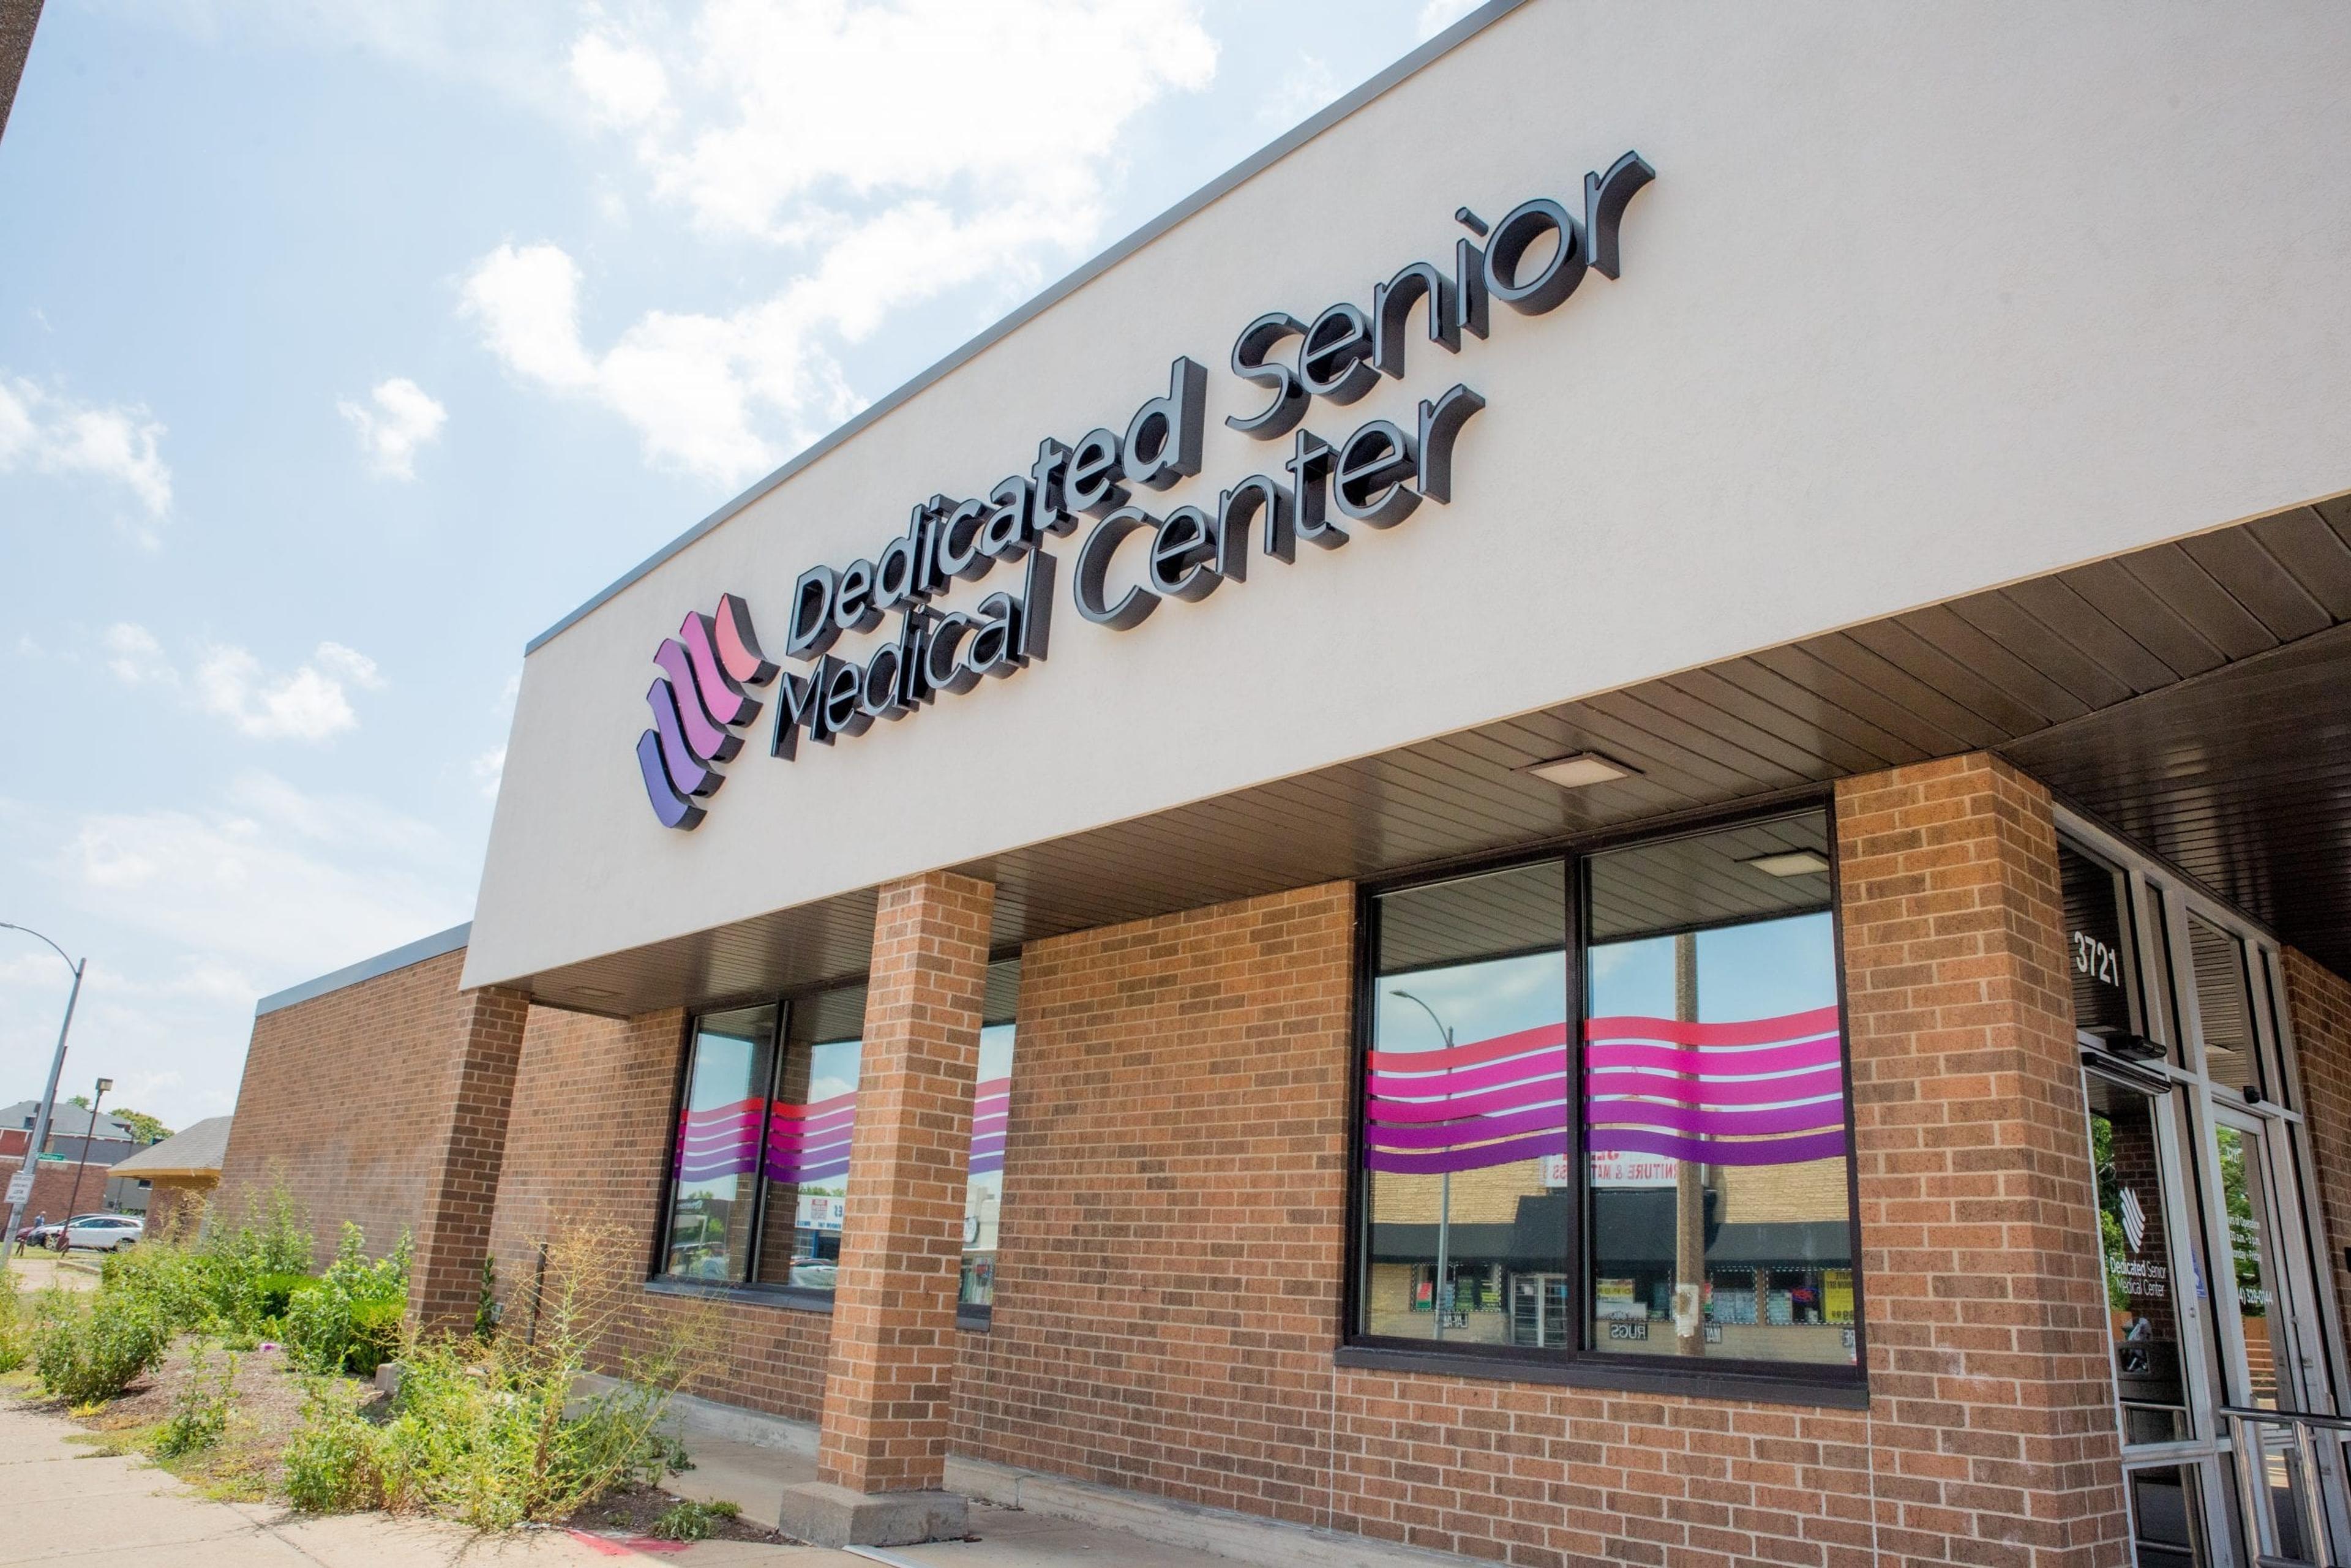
<point>349,1099</point>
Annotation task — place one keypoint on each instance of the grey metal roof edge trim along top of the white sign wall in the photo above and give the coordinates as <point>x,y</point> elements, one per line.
<point>1238,175</point>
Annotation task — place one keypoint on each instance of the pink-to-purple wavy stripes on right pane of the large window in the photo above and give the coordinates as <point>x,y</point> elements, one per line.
<point>1764,1092</point>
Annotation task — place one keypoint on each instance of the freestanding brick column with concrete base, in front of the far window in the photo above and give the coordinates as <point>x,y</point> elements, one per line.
<point>890,1379</point>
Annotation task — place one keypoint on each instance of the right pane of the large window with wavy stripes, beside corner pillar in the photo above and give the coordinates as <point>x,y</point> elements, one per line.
<point>1715,1101</point>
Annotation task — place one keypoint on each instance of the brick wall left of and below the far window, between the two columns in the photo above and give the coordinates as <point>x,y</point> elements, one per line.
<point>589,1144</point>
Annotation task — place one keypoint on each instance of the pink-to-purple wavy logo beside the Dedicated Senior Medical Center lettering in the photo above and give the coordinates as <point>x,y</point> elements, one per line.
<point>699,702</point>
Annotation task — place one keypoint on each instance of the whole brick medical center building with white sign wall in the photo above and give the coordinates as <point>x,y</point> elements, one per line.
<point>1600,819</point>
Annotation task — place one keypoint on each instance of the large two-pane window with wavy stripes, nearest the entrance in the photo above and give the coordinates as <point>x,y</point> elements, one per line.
<point>1696,1198</point>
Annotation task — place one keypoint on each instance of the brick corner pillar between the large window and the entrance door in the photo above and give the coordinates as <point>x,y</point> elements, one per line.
<point>1992,1405</point>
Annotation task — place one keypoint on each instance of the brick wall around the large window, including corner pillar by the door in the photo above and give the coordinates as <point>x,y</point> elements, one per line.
<point>1174,1235</point>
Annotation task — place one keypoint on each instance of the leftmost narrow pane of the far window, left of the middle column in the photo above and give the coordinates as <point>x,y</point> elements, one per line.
<point>716,1170</point>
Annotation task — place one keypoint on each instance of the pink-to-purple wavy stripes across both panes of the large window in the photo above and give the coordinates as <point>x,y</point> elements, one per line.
<point>1767,1092</point>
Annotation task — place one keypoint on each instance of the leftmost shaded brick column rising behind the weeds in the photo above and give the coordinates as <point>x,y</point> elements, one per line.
<point>446,1285</point>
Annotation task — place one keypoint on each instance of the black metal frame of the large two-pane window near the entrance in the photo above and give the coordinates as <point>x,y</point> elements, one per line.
<point>1574,1365</point>
